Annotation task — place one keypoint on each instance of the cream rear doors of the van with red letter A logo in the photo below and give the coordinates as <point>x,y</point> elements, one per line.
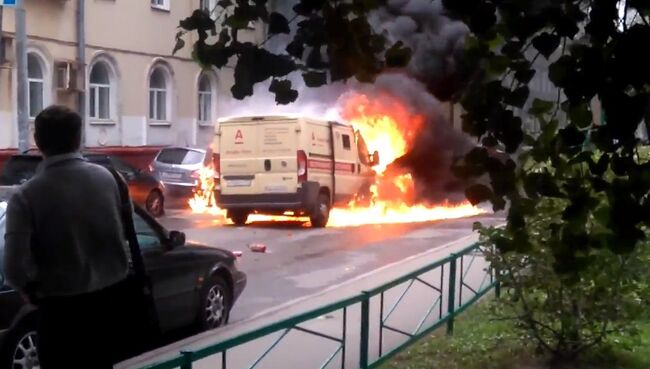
<point>258,156</point>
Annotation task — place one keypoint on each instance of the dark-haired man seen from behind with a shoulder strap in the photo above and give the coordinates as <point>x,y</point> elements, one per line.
<point>66,250</point>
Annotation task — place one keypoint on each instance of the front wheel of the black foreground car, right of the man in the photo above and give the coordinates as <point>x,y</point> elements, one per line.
<point>216,301</point>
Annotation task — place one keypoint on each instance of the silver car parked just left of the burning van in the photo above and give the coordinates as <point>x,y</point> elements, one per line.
<point>177,168</point>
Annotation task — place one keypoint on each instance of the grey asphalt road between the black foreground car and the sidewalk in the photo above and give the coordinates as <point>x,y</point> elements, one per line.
<point>301,261</point>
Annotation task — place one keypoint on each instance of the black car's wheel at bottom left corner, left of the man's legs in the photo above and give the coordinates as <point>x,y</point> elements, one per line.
<point>21,350</point>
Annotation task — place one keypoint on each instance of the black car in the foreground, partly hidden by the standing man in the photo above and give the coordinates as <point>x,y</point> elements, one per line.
<point>193,284</point>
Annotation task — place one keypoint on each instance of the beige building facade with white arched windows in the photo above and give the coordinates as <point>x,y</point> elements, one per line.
<point>133,91</point>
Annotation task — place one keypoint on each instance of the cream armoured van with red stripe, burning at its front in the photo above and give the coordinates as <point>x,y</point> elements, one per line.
<point>289,165</point>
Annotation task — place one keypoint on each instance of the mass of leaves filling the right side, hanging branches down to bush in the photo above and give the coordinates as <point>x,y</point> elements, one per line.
<point>578,196</point>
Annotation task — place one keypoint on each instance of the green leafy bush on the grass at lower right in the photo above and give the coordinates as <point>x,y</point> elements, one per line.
<point>567,314</point>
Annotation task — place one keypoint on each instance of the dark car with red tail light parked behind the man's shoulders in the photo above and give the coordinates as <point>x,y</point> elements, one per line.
<point>144,188</point>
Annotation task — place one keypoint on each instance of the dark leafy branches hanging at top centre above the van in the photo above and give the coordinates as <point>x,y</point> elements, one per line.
<point>332,41</point>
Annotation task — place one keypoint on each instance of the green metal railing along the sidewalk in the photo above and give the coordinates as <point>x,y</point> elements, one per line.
<point>451,286</point>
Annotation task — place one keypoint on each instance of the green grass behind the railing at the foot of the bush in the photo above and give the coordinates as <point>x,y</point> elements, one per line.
<point>483,343</point>
